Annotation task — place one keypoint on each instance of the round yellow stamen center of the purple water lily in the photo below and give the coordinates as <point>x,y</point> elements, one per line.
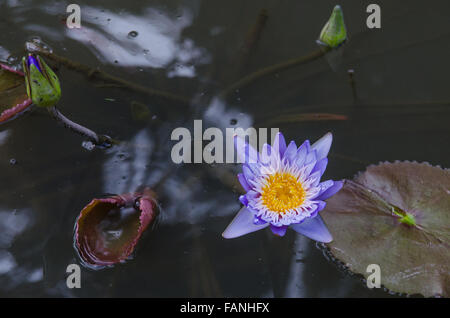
<point>282,192</point>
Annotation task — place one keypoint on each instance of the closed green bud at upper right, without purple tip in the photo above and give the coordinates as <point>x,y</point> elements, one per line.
<point>334,33</point>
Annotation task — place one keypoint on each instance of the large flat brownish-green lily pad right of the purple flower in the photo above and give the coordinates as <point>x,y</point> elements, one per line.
<point>395,215</point>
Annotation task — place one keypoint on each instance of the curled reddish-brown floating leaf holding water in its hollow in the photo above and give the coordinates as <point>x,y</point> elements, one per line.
<point>108,229</point>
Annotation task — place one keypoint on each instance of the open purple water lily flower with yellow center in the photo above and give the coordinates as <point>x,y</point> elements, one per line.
<point>283,188</point>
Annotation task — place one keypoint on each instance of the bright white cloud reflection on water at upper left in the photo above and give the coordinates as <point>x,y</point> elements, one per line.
<point>157,43</point>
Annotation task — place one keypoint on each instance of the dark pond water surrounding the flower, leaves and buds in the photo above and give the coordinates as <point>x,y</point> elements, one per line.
<point>196,49</point>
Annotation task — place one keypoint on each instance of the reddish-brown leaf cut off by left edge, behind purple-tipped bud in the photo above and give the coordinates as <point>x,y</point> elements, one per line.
<point>13,94</point>
